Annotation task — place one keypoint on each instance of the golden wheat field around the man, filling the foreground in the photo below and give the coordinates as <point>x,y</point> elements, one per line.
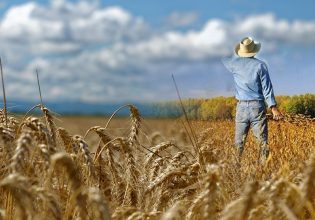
<point>134,168</point>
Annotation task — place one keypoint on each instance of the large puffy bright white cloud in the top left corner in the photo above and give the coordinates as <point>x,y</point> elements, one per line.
<point>63,26</point>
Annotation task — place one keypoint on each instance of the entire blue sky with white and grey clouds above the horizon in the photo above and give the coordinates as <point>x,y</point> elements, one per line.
<point>122,50</point>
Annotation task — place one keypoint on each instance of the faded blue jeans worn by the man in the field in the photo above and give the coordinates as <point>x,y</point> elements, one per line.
<point>251,114</point>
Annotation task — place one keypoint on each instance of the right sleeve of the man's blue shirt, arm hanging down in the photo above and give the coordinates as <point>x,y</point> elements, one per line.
<point>267,86</point>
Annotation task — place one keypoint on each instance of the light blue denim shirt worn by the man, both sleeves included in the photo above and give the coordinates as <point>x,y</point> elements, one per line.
<point>251,79</point>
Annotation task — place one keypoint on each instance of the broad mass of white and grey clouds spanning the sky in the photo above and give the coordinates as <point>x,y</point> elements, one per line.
<point>88,52</point>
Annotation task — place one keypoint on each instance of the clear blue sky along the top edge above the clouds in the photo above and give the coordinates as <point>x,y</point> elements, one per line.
<point>156,10</point>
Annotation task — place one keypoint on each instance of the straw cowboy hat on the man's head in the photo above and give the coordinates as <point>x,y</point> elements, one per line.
<point>247,47</point>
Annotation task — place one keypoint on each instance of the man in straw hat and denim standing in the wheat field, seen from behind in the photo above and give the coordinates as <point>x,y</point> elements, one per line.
<point>253,88</point>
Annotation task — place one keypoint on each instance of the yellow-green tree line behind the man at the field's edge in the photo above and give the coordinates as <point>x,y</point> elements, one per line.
<point>224,107</point>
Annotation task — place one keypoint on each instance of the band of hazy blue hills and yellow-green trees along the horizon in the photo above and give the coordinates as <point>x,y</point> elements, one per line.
<point>204,109</point>
